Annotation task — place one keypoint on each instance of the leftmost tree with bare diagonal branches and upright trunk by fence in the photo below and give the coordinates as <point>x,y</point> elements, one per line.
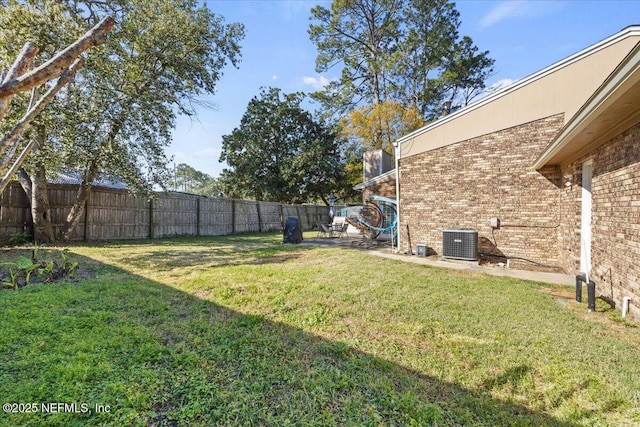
<point>26,23</point>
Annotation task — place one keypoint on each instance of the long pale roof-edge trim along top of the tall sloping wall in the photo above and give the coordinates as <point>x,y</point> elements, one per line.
<point>632,30</point>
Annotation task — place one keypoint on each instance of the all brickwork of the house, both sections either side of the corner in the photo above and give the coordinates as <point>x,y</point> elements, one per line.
<point>466,184</point>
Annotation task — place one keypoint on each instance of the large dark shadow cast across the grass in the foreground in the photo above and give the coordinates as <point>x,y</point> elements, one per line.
<point>154,355</point>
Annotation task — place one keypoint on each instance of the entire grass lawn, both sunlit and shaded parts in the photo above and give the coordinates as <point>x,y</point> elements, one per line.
<point>242,330</point>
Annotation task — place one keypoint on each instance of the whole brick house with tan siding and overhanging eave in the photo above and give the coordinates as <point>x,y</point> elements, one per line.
<point>555,157</point>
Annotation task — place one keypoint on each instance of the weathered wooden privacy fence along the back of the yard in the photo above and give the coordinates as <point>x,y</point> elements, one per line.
<point>116,214</point>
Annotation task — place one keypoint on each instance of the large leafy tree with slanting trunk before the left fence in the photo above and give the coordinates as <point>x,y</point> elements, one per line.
<point>118,114</point>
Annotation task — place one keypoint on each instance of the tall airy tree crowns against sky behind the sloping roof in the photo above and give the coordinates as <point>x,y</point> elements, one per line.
<point>407,51</point>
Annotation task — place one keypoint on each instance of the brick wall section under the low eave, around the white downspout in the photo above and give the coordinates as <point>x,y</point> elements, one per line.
<point>615,250</point>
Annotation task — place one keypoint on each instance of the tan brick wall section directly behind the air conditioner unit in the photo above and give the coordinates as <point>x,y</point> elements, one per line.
<point>468,183</point>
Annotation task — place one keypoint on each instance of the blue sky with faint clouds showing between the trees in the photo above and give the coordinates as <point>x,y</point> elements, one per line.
<point>522,36</point>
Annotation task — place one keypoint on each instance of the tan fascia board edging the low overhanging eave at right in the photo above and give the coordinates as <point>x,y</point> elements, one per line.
<point>601,99</point>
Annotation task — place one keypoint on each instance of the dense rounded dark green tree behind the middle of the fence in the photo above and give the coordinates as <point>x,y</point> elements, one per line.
<point>280,153</point>
